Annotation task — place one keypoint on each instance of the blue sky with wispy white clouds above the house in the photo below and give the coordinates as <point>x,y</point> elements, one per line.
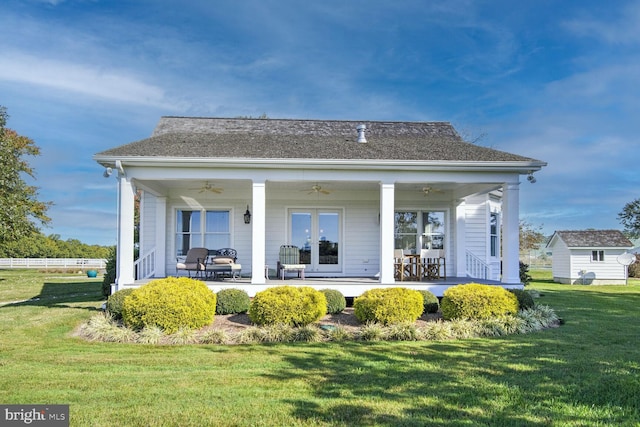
<point>554,80</point>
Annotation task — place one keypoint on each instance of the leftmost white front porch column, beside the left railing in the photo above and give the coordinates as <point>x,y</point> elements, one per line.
<point>124,250</point>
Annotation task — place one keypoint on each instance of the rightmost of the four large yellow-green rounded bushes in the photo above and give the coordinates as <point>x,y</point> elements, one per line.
<point>476,301</point>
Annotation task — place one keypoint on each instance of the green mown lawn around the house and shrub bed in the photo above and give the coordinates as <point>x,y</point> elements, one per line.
<point>586,372</point>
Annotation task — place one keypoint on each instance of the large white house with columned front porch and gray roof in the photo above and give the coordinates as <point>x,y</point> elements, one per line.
<point>309,182</point>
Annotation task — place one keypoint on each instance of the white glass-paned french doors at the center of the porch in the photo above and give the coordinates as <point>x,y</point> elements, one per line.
<point>318,234</point>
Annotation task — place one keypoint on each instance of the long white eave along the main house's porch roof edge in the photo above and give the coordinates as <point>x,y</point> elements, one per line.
<point>369,164</point>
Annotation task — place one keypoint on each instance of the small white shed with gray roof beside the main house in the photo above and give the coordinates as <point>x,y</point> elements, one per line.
<point>589,256</point>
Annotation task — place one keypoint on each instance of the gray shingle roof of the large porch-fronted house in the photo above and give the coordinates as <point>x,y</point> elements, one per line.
<point>189,137</point>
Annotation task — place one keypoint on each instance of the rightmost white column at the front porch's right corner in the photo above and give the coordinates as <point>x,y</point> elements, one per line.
<point>510,233</point>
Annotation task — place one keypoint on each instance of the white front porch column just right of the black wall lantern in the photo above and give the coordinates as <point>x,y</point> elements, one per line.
<point>258,234</point>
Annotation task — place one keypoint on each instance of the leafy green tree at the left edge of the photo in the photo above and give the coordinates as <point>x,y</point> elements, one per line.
<point>20,210</point>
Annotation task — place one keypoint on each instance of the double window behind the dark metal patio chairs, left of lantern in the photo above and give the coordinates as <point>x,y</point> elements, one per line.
<point>190,225</point>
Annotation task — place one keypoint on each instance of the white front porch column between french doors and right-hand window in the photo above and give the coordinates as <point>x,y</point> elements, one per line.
<point>387,240</point>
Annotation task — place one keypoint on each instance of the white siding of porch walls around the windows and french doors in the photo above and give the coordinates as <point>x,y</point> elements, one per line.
<point>360,227</point>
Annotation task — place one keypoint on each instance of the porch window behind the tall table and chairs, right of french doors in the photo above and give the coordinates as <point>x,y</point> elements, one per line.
<point>419,230</point>
